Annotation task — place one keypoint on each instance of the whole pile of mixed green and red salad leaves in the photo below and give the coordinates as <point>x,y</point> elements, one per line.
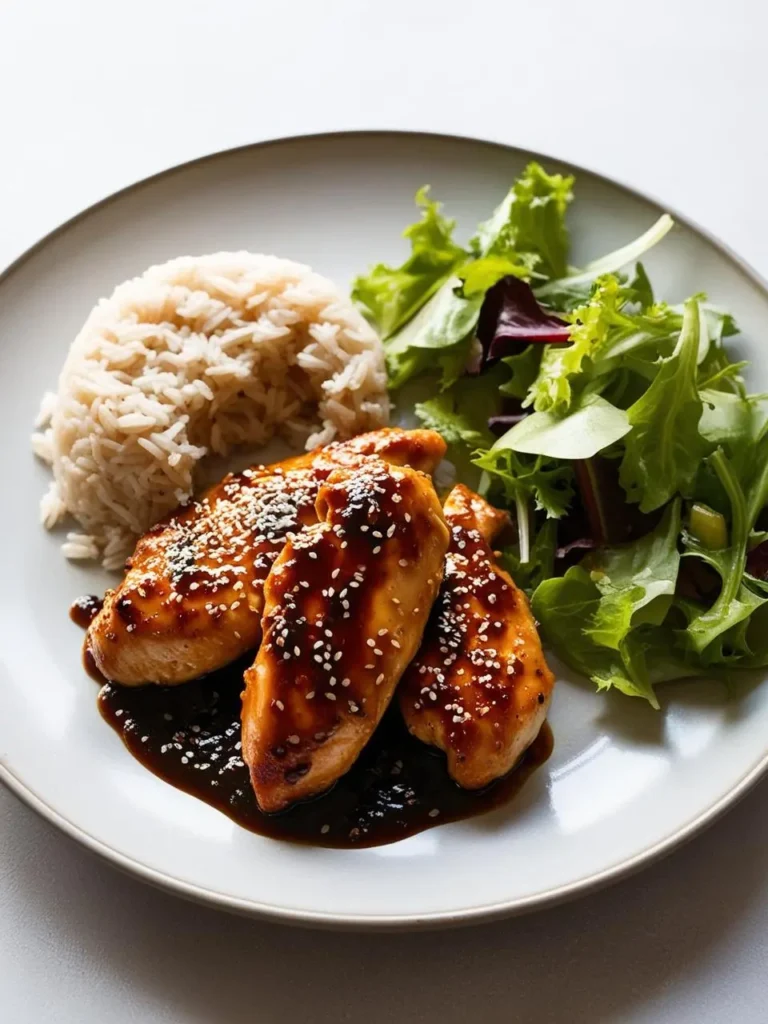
<point>615,428</point>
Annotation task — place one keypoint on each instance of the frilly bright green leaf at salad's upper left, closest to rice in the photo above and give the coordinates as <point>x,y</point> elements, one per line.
<point>393,295</point>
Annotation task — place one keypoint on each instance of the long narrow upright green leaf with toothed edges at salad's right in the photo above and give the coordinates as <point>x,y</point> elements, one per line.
<point>665,447</point>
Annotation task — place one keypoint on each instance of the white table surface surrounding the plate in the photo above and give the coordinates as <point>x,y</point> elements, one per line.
<point>666,95</point>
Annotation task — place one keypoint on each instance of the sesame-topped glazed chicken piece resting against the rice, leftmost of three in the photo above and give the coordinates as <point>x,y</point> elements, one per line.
<point>193,595</point>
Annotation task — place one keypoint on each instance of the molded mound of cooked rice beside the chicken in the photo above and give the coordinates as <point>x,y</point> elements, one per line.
<point>194,357</point>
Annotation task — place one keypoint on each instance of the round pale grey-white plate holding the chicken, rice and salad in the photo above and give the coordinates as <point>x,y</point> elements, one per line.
<point>625,784</point>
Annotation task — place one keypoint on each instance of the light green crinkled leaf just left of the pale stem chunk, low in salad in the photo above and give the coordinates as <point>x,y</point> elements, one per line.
<point>636,581</point>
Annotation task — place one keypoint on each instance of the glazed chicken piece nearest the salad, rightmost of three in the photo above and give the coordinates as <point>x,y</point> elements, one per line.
<point>480,687</point>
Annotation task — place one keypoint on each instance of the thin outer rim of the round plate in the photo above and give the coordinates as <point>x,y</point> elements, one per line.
<point>400,922</point>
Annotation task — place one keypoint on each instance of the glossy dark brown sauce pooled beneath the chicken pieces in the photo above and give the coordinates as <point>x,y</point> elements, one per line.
<point>190,737</point>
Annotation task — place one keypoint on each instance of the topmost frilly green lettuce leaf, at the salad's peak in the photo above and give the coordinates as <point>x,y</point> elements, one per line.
<point>531,220</point>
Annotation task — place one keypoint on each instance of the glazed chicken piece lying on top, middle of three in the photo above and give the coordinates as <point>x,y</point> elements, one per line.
<point>346,608</point>
